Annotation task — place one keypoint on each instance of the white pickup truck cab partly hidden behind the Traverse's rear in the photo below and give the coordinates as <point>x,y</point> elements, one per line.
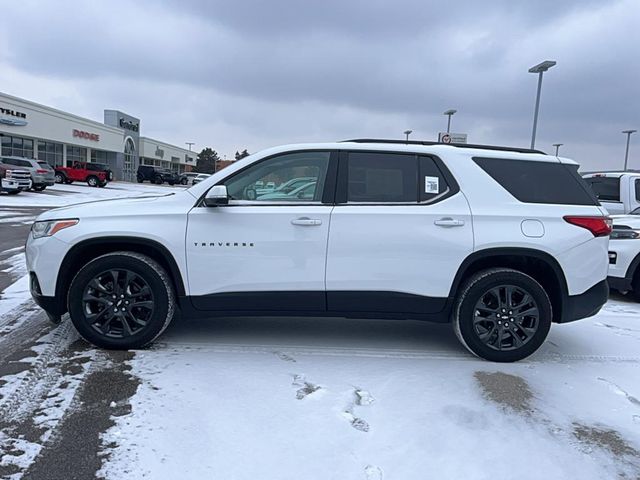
<point>618,192</point>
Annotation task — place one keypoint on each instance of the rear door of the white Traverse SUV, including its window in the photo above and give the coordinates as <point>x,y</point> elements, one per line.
<point>399,232</point>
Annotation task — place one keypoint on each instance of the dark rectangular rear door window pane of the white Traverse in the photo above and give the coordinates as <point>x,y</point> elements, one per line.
<point>382,178</point>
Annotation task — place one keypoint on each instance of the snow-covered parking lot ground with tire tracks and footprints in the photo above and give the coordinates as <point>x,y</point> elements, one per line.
<point>293,398</point>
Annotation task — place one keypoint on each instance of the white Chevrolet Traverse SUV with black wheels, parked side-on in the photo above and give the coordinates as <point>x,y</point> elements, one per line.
<point>502,242</point>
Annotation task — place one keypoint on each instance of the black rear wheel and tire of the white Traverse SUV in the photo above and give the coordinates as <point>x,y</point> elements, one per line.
<point>502,315</point>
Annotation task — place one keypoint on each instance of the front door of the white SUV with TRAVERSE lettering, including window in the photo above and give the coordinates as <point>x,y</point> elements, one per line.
<point>266,250</point>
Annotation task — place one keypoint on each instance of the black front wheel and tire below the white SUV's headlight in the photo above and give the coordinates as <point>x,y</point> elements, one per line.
<point>121,300</point>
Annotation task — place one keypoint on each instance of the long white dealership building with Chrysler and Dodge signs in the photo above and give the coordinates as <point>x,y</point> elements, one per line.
<point>31,130</point>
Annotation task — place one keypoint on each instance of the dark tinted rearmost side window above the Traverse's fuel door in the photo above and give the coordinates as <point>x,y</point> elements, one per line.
<point>539,182</point>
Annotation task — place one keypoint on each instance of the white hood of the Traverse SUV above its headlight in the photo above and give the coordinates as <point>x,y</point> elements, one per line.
<point>128,206</point>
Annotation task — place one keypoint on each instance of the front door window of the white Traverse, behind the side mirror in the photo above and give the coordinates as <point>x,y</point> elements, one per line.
<point>292,177</point>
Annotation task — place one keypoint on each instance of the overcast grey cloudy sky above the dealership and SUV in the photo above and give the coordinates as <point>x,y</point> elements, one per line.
<point>234,75</point>
